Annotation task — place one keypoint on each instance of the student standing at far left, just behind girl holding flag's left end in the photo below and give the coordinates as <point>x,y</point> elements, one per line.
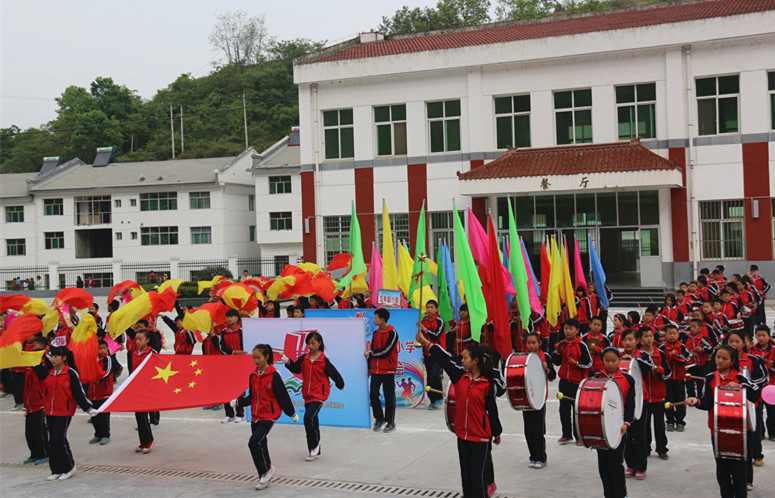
<point>34,399</point>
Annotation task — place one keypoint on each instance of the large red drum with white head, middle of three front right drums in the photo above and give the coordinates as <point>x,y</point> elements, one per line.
<point>599,413</point>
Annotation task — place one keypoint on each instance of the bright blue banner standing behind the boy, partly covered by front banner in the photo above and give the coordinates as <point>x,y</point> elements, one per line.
<point>410,380</point>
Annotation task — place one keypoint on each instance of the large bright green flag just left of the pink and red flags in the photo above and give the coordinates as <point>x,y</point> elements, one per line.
<point>472,286</point>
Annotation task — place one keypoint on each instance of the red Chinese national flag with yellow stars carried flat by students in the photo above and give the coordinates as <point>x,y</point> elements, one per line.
<point>174,382</point>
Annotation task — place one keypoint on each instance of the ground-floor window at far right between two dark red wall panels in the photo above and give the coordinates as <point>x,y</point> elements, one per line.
<point>721,228</point>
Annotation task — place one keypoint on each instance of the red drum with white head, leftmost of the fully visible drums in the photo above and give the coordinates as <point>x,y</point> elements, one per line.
<point>526,382</point>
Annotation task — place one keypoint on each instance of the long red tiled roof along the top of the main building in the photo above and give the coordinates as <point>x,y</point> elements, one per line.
<point>549,27</point>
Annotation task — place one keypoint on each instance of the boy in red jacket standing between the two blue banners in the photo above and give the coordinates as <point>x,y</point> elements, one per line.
<point>383,357</point>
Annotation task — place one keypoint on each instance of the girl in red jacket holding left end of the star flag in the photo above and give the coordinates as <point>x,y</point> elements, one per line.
<point>63,392</point>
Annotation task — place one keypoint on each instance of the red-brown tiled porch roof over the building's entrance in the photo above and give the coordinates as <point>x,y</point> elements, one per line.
<point>571,160</point>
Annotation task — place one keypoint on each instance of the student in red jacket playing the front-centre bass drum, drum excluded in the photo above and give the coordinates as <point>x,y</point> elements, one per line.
<point>609,462</point>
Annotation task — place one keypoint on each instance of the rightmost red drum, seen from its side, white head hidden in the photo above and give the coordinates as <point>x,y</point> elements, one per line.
<point>730,409</point>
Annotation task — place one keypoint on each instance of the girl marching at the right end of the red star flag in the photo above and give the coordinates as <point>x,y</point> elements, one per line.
<point>268,399</point>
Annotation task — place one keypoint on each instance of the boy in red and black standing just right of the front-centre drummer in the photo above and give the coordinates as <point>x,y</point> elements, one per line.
<point>655,391</point>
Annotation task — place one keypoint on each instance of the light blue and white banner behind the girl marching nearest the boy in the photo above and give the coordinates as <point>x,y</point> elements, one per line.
<point>345,343</point>
